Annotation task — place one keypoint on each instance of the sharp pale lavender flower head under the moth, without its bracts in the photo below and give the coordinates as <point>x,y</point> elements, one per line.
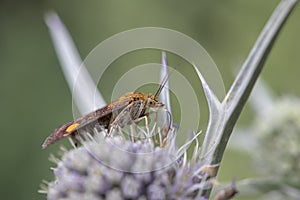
<point>115,168</point>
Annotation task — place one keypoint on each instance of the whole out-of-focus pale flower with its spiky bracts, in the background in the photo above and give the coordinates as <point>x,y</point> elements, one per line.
<point>276,140</point>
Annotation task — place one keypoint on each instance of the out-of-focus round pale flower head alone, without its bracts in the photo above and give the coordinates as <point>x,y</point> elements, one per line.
<point>278,130</point>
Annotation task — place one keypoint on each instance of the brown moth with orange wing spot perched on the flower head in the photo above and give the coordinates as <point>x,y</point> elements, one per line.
<point>128,108</point>
